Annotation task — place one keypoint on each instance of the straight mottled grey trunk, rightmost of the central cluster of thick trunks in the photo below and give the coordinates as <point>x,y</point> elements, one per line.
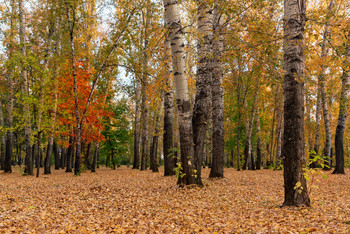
<point>217,93</point>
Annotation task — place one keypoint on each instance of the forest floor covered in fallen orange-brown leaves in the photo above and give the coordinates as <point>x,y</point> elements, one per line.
<point>128,200</point>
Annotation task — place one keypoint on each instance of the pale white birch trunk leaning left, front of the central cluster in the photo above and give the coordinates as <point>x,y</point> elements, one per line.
<point>173,23</point>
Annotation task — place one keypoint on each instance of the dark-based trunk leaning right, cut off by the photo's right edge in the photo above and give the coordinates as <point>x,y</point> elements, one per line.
<point>339,135</point>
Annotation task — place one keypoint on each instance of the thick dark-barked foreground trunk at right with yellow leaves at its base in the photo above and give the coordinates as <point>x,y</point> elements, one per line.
<point>293,87</point>
